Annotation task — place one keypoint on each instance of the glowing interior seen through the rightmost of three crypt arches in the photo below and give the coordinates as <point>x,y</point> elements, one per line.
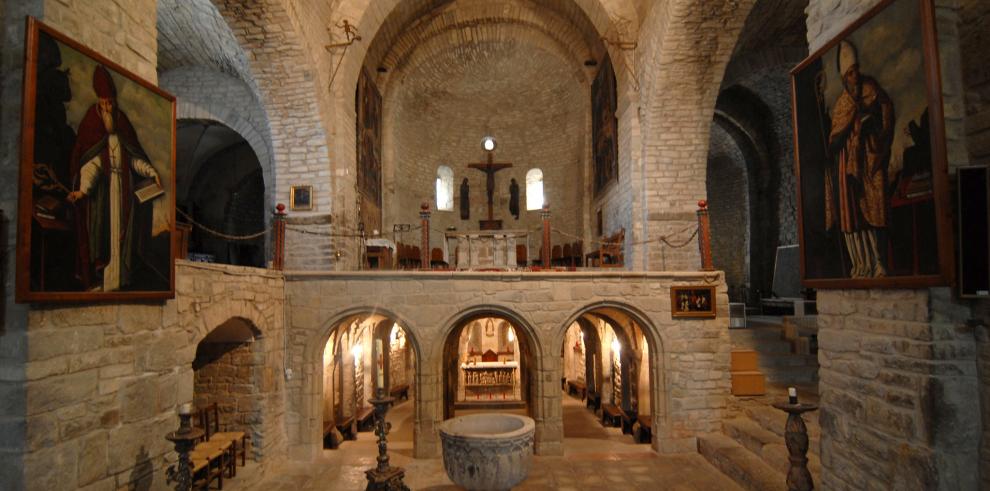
<point>607,371</point>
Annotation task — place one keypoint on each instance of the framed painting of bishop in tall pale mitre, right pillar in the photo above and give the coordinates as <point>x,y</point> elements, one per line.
<point>870,155</point>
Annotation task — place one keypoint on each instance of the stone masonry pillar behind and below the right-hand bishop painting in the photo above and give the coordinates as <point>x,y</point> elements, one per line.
<point>899,372</point>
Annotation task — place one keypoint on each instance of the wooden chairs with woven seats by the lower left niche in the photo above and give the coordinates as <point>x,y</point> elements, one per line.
<point>216,453</point>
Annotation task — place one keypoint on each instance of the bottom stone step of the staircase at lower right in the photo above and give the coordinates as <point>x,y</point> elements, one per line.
<point>739,464</point>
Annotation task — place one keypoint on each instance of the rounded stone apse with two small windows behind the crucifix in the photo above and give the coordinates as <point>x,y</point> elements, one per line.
<point>523,77</point>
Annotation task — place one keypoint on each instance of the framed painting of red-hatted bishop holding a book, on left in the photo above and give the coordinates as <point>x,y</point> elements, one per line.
<point>97,178</point>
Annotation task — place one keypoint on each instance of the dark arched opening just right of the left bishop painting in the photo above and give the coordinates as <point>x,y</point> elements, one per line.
<point>221,186</point>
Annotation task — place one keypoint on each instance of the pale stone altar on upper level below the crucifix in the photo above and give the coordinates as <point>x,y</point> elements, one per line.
<point>483,249</point>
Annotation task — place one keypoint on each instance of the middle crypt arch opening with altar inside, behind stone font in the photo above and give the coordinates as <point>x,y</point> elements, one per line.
<point>488,365</point>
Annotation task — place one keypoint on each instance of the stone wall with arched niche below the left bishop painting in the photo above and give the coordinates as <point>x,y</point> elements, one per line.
<point>104,381</point>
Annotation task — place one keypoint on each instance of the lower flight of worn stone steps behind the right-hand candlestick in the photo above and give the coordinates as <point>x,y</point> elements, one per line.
<point>751,450</point>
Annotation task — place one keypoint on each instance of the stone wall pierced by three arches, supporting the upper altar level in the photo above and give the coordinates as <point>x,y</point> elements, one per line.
<point>689,358</point>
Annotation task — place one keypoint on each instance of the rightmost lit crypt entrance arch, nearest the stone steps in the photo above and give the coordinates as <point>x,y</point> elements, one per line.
<point>614,354</point>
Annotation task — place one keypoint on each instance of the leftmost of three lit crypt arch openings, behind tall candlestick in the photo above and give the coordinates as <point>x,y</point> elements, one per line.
<point>364,354</point>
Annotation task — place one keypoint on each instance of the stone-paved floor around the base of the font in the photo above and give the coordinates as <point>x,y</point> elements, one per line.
<point>627,466</point>
